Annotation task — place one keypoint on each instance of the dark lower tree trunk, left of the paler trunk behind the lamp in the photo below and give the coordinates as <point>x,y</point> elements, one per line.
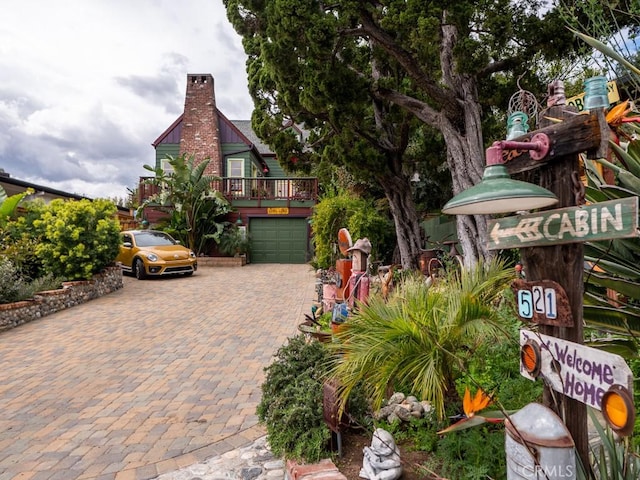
<point>403,210</point>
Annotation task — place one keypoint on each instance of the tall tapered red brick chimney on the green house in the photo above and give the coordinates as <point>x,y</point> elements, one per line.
<point>200,131</point>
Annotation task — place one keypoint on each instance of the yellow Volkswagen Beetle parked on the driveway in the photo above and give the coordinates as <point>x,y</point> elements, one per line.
<point>150,252</point>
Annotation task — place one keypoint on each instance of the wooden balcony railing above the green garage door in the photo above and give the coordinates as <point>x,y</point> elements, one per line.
<point>268,188</point>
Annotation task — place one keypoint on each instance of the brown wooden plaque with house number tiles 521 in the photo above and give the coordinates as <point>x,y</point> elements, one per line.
<point>543,302</point>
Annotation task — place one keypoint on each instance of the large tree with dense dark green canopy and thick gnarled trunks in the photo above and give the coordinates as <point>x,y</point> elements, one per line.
<point>358,73</point>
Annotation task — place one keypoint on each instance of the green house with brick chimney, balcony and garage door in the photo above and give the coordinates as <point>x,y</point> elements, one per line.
<point>274,207</point>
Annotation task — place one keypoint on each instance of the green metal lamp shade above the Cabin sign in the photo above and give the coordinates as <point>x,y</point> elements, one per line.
<point>498,193</point>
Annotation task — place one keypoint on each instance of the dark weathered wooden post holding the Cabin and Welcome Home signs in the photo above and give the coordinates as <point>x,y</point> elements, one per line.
<point>564,265</point>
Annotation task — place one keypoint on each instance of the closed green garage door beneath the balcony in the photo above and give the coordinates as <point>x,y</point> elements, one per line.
<point>278,240</point>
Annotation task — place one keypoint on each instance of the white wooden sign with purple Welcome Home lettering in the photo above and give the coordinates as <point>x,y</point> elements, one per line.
<point>577,371</point>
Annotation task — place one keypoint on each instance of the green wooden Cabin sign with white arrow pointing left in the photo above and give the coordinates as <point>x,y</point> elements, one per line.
<point>599,221</point>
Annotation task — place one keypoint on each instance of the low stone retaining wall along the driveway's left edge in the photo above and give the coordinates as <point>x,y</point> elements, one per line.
<point>71,294</point>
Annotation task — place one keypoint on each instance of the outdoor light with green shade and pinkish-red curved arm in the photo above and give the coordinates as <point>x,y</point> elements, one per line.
<point>497,192</point>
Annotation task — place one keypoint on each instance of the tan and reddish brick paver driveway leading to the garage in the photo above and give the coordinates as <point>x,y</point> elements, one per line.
<point>157,376</point>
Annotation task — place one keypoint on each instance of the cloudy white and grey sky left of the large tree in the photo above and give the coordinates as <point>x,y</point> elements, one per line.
<point>87,85</point>
